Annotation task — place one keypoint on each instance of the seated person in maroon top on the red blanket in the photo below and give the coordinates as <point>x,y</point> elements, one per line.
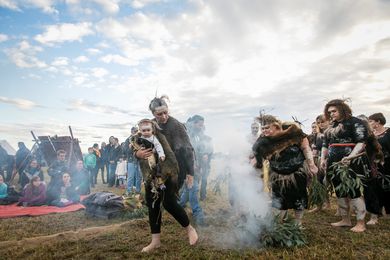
<point>34,193</point>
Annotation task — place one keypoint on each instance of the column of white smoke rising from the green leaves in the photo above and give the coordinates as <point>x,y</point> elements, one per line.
<point>249,208</point>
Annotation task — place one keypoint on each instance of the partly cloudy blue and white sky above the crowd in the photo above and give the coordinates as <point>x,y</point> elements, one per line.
<point>96,64</point>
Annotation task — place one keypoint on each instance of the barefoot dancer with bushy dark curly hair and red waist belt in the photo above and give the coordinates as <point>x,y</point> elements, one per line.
<point>344,139</point>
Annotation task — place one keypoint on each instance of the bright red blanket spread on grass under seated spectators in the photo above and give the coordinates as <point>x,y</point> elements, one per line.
<point>11,211</point>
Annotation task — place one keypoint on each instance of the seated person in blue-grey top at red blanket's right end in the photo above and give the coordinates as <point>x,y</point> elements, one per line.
<point>64,194</point>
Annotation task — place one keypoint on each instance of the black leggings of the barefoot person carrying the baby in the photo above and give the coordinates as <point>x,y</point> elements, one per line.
<point>169,201</point>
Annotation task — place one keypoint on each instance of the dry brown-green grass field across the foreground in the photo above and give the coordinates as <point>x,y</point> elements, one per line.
<point>29,237</point>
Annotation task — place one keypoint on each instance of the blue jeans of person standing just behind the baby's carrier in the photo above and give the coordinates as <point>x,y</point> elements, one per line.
<point>191,196</point>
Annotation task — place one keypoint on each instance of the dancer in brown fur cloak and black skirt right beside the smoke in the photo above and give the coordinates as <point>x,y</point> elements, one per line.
<point>287,148</point>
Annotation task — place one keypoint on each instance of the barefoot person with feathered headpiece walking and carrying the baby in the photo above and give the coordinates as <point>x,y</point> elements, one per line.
<point>177,167</point>
